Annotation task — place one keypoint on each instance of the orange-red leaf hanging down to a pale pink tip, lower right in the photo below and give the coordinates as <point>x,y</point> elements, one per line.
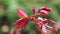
<point>40,26</point>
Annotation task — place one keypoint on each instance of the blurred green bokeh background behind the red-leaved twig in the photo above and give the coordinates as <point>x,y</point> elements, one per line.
<point>8,14</point>
